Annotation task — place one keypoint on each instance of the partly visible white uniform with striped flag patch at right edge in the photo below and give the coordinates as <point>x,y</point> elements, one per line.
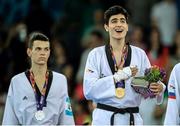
<point>173,107</point>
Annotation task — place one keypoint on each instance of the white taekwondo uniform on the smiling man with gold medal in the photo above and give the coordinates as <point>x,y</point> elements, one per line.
<point>99,86</point>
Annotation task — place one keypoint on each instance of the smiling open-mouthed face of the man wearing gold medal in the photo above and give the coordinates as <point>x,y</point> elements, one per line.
<point>117,26</point>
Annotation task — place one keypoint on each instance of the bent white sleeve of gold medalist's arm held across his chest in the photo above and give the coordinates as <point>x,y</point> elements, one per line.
<point>95,87</point>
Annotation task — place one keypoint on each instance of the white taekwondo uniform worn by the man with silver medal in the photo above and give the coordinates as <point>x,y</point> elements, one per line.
<point>21,103</point>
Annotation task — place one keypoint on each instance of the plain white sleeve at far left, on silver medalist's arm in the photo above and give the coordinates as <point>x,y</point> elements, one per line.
<point>9,117</point>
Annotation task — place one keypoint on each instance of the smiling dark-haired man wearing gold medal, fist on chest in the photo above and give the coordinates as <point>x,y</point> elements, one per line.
<point>109,71</point>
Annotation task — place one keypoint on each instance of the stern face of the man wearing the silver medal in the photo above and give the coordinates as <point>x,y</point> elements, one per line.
<point>39,53</point>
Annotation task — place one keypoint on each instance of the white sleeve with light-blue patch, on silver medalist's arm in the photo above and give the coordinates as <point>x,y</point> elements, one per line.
<point>66,116</point>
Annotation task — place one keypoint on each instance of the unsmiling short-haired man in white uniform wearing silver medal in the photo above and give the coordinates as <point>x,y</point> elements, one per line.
<point>38,96</point>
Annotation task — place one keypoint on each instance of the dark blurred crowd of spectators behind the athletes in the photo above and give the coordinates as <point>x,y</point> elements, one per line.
<point>74,28</point>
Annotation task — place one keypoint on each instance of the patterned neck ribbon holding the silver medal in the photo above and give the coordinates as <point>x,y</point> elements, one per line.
<point>40,102</point>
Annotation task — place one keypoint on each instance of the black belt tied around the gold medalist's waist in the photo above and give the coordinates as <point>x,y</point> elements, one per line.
<point>129,110</point>
